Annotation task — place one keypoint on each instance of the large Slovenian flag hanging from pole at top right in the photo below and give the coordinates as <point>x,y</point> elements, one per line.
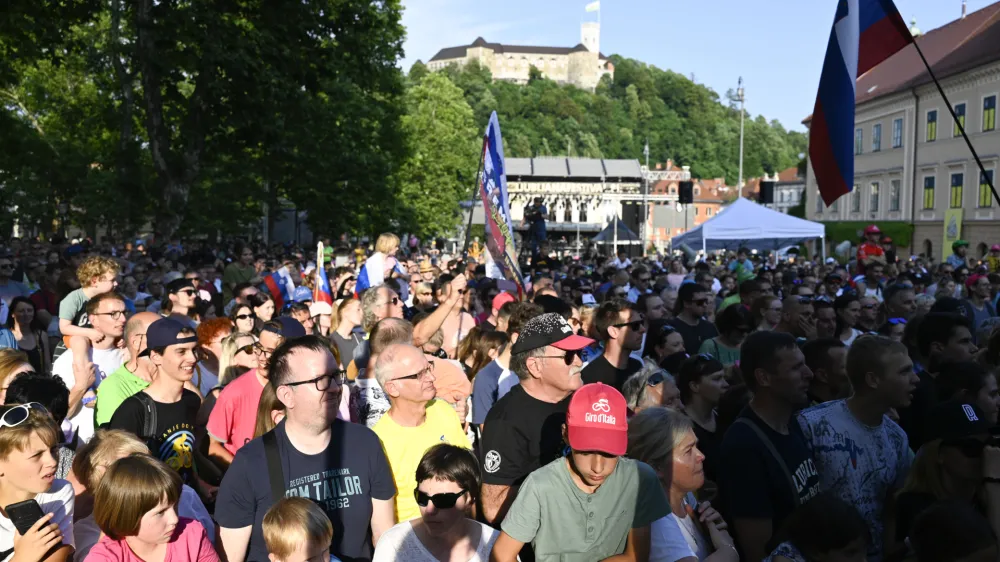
<point>865,33</point>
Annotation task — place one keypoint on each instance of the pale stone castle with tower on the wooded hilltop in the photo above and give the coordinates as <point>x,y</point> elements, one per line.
<point>582,65</point>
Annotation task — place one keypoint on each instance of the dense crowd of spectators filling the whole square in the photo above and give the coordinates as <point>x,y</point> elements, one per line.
<point>175,402</point>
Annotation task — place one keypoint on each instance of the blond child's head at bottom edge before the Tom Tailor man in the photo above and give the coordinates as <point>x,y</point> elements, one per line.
<point>297,530</point>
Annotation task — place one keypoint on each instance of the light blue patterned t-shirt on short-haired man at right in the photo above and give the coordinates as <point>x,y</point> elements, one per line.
<point>859,464</point>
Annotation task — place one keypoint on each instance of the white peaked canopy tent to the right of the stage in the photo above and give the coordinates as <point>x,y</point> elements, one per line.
<point>749,225</point>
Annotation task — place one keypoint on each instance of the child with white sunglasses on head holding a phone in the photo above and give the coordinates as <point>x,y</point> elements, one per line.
<point>28,440</point>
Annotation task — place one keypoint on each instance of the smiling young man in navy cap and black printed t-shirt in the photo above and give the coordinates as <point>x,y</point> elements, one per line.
<point>163,414</point>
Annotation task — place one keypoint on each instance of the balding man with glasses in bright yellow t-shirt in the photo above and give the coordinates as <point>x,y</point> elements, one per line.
<point>415,421</point>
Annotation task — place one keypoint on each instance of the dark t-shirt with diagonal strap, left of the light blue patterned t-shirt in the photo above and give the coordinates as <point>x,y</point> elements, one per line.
<point>752,482</point>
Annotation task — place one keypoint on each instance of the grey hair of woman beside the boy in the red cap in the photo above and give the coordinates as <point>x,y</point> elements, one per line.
<point>654,433</point>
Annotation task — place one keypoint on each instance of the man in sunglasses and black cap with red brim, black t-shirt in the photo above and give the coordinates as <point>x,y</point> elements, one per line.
<point>523,430</point>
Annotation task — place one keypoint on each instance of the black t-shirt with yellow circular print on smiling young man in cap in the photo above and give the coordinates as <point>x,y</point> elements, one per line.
<point>173,440</point>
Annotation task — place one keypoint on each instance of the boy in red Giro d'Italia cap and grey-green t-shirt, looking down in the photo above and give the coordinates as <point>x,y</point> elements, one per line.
<point>593,503</point>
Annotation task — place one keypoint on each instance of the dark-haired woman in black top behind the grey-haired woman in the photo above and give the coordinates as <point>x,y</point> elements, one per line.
<point>702,382</point>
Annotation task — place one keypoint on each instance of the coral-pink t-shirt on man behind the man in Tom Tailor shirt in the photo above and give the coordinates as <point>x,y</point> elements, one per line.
<point>234,416</point>
